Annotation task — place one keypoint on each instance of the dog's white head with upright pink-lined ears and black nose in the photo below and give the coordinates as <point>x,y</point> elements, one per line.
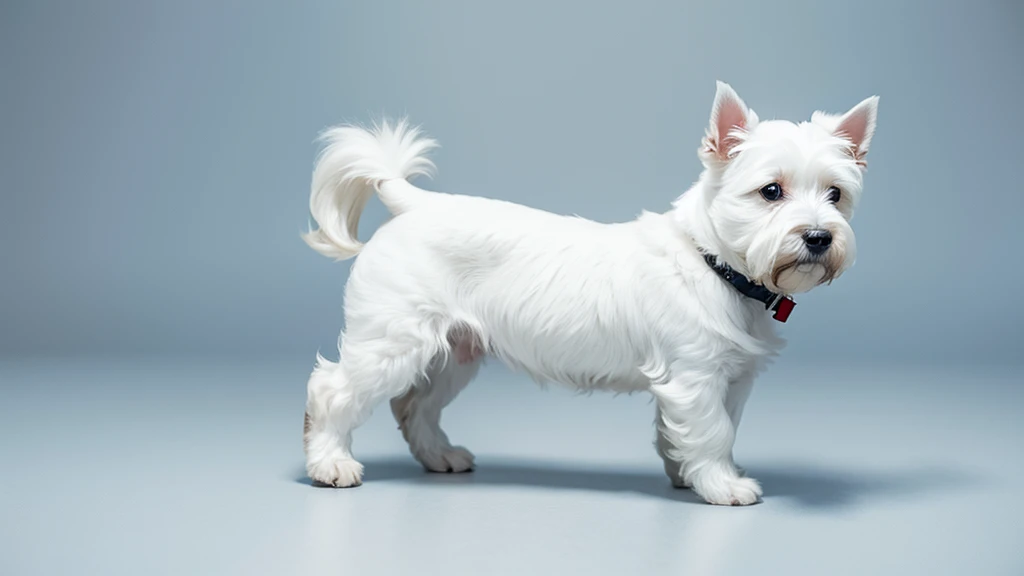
<point>780,196</point>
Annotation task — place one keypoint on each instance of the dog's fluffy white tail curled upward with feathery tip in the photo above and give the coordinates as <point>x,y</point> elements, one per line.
<point>355,164</point>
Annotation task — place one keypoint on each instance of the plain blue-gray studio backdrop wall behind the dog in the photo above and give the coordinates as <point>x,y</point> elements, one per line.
<point>156,157</point>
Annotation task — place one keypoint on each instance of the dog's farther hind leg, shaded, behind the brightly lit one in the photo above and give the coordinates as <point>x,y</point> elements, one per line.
<point>419,410</point>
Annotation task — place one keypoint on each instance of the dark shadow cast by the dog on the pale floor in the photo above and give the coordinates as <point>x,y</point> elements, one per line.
<point>804,485</point>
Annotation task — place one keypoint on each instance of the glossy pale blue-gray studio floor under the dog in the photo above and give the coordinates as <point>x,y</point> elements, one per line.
<point>189,468</point>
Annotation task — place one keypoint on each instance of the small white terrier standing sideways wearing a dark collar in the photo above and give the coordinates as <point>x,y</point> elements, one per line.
<point>679,304</point>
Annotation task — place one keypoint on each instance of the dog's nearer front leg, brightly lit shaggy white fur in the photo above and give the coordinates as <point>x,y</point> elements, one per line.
<point>698,431</point>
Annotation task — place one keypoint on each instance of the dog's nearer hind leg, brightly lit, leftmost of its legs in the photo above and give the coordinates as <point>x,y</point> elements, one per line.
<point>343,396</point>
